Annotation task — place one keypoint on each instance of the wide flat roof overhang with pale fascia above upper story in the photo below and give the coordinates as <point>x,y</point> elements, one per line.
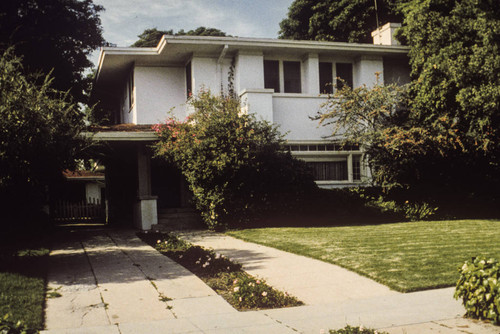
<point>115,62</point>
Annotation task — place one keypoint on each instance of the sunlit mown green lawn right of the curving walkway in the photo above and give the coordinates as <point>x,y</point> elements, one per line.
<point>406,256</point>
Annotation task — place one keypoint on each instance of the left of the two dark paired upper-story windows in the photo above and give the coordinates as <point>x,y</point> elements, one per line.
<point>288,82</point>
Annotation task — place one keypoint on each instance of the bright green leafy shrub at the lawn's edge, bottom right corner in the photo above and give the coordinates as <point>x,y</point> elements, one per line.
<point>479,288</point>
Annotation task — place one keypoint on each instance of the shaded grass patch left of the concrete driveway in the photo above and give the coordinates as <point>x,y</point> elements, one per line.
<point>22,284</point>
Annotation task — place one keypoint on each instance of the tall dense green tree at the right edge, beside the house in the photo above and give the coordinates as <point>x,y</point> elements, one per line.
<point>455,90</point>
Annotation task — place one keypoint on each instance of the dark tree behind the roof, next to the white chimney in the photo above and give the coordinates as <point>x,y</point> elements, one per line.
<point>339,21</point>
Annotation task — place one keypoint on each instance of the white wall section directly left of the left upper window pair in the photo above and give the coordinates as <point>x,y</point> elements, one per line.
<point>249,72</point>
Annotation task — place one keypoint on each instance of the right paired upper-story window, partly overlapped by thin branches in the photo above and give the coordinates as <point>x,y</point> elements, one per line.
<point>343,73</point>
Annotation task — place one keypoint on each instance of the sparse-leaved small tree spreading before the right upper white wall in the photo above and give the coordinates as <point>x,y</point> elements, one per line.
<point>378,120</point>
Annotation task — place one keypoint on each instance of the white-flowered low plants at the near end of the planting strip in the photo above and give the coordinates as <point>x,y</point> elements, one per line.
<point>249,292</point>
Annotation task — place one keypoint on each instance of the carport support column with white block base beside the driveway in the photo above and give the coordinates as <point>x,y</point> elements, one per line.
<point>145,211</point>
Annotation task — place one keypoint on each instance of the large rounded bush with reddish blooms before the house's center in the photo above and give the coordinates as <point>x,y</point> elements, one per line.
<point>234,164</point>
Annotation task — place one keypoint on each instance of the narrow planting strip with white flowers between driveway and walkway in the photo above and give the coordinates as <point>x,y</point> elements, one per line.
<point>240,289</point>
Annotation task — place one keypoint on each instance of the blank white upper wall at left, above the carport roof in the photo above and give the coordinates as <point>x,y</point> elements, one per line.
<point>159,89</point>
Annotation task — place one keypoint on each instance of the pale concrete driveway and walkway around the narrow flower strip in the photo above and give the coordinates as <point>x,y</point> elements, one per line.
<point>111,282</point>
